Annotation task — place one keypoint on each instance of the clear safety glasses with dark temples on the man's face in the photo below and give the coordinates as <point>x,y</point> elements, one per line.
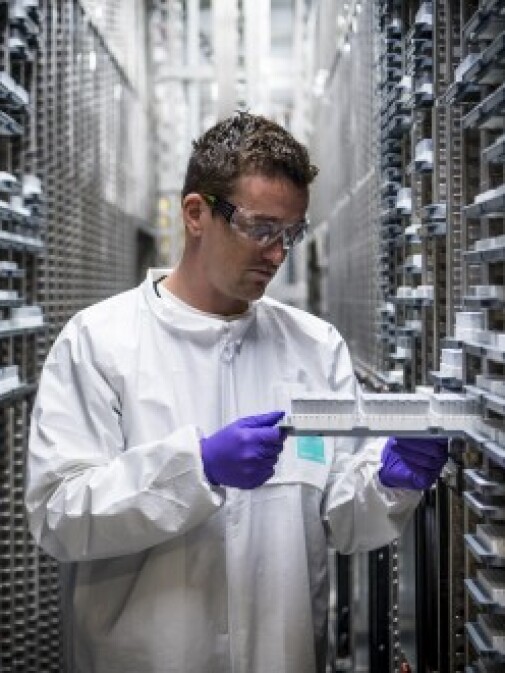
<point>258,228</point>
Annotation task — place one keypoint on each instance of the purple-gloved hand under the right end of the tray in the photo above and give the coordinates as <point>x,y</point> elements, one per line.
<point>413,463</point>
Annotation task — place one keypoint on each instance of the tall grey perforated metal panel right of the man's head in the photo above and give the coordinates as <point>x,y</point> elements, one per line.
<point>345,192</point>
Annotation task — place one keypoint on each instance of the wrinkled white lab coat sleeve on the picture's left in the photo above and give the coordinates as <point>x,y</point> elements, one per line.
<point>86,496</point>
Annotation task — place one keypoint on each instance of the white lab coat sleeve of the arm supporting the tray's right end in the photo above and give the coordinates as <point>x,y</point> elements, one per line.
<point>360,512</point>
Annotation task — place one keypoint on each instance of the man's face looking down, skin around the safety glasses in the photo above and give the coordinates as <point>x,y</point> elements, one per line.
<point>236,268</point>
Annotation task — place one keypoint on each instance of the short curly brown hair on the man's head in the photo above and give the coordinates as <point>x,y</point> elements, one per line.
<point>244,144</point>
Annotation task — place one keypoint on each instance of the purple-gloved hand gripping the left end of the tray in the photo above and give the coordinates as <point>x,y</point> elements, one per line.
<point>243,454</point>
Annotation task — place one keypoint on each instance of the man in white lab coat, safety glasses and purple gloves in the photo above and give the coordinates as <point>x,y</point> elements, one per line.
<point>198,533</point>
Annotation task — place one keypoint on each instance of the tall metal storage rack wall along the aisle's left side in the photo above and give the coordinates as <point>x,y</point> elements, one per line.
<point>73,127</point>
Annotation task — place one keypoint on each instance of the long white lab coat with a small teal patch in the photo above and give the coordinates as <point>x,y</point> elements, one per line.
<point>170,574</point>
